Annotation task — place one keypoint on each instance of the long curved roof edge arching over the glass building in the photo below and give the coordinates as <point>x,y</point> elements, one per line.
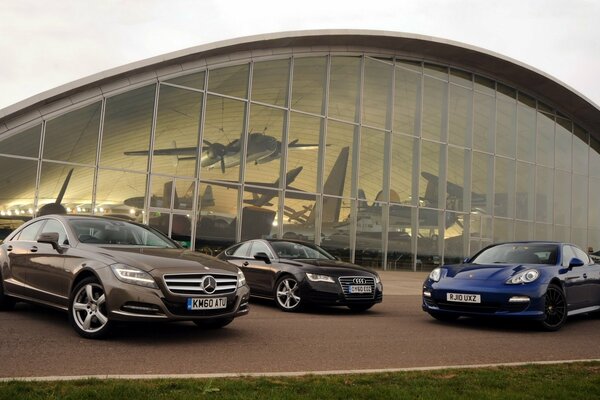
<point>521,76</point>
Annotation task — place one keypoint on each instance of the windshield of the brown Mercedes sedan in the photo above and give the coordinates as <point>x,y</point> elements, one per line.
<point>106,231</point>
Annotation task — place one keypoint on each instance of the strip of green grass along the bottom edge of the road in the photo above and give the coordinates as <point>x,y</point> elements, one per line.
<point>558,381</point>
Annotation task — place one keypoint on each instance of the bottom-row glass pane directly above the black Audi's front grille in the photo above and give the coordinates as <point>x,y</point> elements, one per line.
<point>369,234</point>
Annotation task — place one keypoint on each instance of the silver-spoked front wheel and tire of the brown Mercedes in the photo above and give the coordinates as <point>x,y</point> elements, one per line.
<point>87,310</point>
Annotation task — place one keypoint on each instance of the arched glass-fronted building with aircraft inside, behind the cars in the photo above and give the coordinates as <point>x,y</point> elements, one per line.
<point>389,150</point>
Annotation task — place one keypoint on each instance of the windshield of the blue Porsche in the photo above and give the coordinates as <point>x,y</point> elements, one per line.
<point>518,253</point>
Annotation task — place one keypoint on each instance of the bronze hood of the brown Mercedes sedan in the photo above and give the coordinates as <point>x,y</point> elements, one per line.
<point>167,260</point>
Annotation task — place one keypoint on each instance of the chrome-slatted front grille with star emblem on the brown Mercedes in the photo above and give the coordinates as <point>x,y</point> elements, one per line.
<point>194,284</point>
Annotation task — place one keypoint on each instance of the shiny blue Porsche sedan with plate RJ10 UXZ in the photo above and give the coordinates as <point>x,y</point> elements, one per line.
<point>541,281</point>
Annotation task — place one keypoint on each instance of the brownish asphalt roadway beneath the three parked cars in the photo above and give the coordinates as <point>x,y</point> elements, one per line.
<point>35,341</point>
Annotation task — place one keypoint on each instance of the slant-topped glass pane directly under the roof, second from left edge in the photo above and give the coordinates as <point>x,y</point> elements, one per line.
<point>73,137</point>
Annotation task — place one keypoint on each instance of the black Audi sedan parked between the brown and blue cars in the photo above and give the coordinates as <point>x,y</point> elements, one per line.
<point>295,273</point>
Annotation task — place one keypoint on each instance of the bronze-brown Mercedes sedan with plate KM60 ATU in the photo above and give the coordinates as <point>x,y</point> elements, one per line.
<point>102,270</point>
